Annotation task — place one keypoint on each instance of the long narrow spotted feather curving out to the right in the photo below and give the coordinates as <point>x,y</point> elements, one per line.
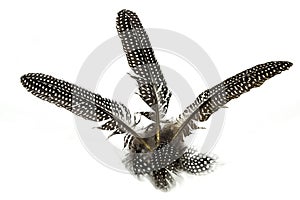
<point>215,98</point>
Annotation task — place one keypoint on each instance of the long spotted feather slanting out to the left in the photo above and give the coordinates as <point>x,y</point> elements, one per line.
<point>81,102</point>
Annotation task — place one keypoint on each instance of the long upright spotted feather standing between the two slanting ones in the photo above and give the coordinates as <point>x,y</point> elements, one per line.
<point>140,55</point>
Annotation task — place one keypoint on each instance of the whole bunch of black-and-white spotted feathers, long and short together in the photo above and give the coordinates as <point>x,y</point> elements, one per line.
<point>158,151</point>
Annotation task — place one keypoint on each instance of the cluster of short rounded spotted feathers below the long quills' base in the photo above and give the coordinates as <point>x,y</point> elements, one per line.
<point>161,167</point>
